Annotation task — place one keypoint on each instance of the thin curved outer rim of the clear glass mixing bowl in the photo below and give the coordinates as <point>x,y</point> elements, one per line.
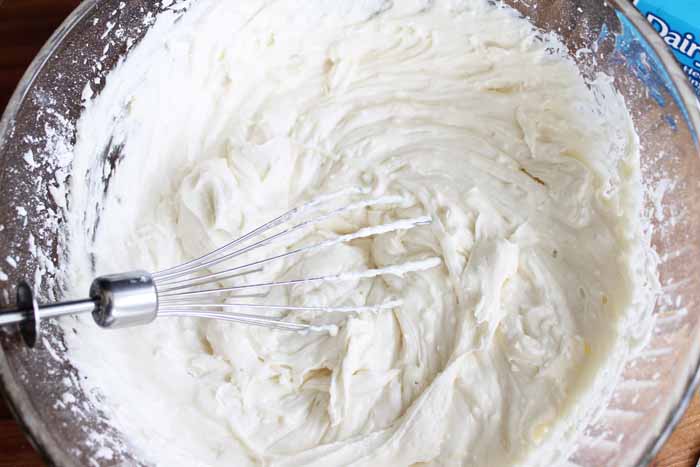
<point>26,415</point>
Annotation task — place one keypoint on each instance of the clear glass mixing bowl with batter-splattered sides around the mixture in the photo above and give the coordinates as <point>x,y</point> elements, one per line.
<point>609,37</point>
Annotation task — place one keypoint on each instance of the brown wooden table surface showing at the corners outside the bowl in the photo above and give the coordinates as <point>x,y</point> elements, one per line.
<point>24,27</point>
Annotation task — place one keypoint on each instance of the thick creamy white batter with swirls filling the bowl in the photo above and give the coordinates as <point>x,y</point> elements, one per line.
<point>243,109</point>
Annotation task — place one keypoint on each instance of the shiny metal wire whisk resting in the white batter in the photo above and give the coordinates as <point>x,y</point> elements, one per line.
<point>193,289</point>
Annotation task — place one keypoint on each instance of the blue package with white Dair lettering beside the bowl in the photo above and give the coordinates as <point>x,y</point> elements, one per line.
<point>678,22</point>
